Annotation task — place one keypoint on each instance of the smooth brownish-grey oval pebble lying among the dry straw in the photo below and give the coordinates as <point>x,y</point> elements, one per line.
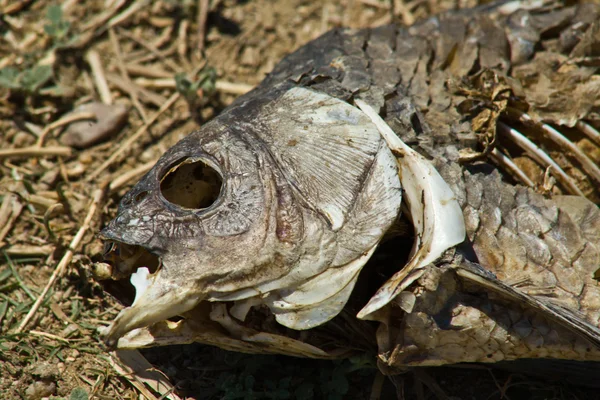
<point>109,120</point>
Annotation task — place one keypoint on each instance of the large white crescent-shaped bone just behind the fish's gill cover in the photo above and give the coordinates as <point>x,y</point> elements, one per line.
<point>437,217</point>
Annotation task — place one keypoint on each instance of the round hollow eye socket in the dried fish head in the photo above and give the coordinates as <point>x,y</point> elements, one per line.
<point>191,184</point>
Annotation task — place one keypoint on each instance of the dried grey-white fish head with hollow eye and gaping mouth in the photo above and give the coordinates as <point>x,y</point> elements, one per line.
<point>265,199</point>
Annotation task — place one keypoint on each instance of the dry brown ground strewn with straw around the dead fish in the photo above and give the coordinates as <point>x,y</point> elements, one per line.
<point>57,190</point>
